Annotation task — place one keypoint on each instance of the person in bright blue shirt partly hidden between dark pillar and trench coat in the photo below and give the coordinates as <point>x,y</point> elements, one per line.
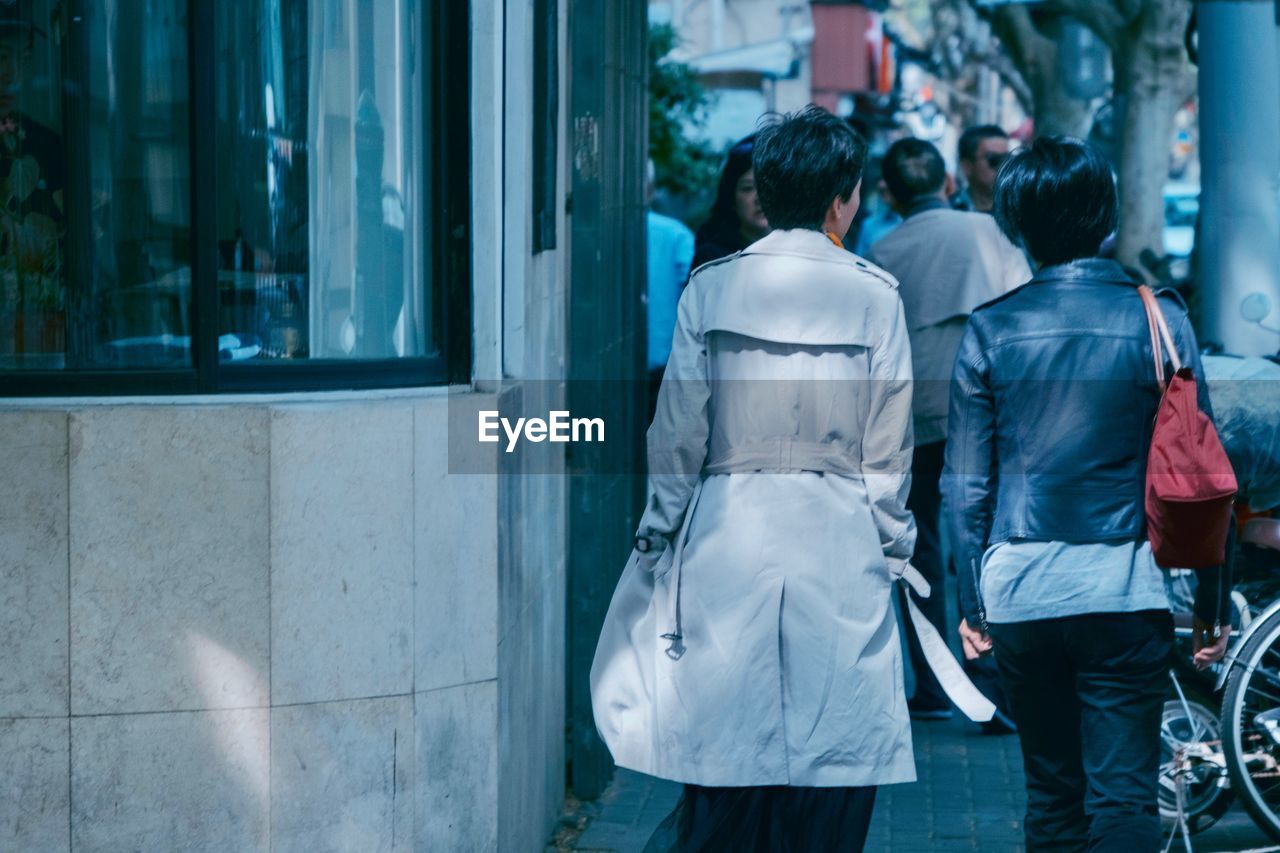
<point>671,253</point>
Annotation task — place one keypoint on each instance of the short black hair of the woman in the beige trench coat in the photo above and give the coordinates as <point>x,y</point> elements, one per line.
<point>802,163</point>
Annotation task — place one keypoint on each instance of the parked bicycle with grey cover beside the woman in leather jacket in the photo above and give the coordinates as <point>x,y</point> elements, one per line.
<point>1226,743</point>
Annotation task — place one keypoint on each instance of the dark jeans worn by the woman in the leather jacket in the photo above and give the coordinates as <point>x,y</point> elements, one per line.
<point>1087,694</point>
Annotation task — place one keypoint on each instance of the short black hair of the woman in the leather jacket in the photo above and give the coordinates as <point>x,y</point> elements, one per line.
<point>1058,199</point>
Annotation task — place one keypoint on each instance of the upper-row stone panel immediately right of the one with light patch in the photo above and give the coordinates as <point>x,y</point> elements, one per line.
<point>342,551</point>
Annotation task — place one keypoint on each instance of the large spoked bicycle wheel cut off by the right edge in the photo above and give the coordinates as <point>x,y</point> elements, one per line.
<point>1251,727</point>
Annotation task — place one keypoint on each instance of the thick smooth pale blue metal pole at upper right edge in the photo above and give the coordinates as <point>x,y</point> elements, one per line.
<point>1240,243</point>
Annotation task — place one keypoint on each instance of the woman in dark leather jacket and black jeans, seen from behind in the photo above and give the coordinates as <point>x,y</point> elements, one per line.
<point>1053,400</point>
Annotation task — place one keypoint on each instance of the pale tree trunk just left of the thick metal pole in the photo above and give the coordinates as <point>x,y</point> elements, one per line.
<point>1154,75</point>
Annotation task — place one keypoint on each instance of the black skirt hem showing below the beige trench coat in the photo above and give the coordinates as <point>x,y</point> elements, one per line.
<point>767,820</point>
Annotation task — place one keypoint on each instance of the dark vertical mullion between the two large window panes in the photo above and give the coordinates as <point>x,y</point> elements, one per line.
<point>204,188</point>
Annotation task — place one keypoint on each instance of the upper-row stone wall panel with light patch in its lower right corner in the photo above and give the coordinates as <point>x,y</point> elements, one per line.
<point>170,559</point>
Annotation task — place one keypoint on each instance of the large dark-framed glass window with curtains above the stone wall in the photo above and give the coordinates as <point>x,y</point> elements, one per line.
<point>191,193</point>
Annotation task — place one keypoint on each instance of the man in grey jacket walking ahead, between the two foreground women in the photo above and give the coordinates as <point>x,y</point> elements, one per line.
<point>948,263</point>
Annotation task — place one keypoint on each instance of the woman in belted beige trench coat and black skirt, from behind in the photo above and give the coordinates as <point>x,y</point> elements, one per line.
<point>751,644</point>
